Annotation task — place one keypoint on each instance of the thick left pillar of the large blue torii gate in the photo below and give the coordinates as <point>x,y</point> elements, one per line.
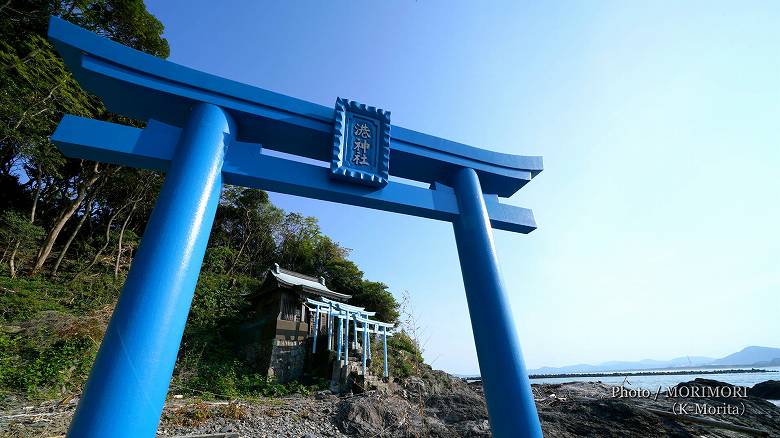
<point>129,381</point>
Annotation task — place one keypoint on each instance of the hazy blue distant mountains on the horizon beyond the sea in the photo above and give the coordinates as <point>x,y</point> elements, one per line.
<point>749,356</point>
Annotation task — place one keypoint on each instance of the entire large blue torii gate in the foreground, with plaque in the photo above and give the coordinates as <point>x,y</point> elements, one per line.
<point>204,131</point>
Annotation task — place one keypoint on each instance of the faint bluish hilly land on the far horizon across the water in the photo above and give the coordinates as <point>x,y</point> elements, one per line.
<point>748,357</point>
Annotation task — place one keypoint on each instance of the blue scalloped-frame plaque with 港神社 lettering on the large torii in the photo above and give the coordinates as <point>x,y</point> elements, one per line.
<point>361,143</point>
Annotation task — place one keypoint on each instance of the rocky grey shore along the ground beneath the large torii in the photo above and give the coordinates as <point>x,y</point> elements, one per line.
<point>435,404</point>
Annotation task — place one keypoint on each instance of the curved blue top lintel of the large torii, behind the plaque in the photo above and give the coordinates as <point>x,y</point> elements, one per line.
<point>145,87</point>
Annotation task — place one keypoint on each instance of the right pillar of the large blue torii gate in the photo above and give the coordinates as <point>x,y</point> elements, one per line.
<point>504,378</point>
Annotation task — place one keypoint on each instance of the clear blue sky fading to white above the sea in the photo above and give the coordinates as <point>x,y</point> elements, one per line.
<point>659,124</point>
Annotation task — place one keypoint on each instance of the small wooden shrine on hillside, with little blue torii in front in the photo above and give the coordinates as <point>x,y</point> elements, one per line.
<point>301,327</point>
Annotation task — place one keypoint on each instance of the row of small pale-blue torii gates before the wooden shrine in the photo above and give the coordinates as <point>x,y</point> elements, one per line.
<point>340,314</point>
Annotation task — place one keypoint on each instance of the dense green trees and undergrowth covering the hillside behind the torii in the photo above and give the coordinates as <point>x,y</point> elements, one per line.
<point>69,228</point>
